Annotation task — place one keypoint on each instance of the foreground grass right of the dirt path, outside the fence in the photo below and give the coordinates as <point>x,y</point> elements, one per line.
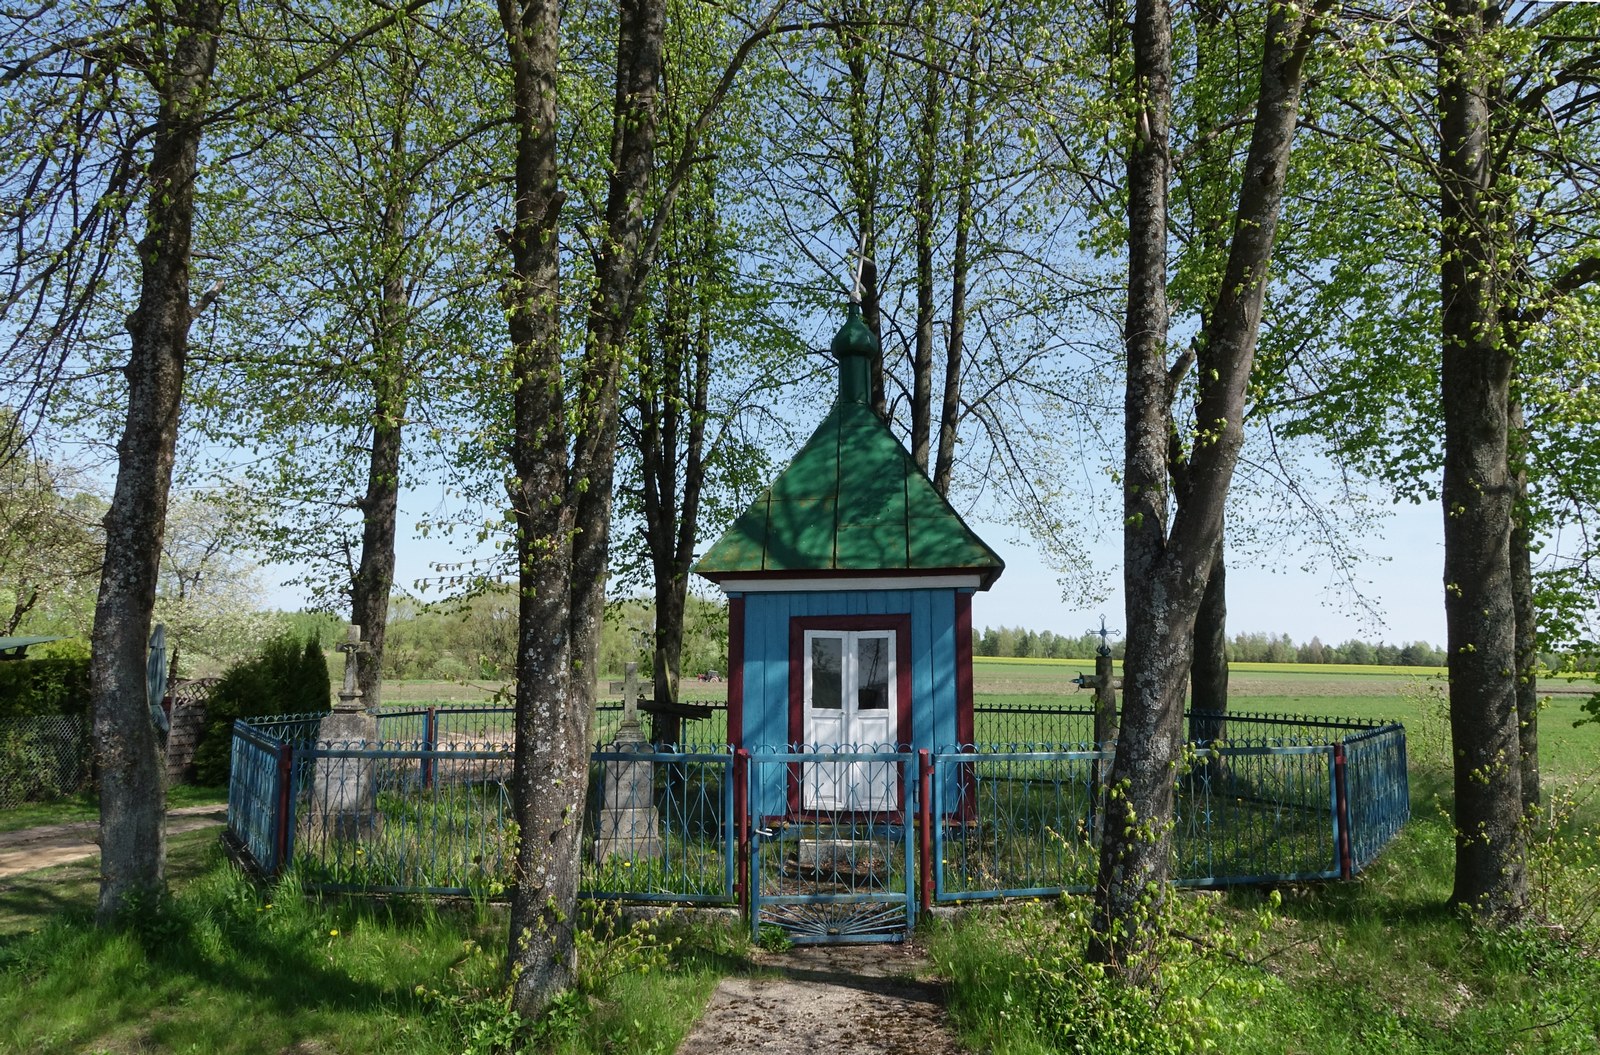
<point>1377,965</point>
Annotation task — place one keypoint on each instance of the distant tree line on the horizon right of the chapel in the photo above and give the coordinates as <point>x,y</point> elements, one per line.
<point>1018,643</point>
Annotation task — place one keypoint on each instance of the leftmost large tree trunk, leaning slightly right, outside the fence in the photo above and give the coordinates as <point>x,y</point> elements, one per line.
<point>127,747</point>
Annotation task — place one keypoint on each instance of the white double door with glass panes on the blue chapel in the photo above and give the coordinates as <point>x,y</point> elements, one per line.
<point>850,705</point>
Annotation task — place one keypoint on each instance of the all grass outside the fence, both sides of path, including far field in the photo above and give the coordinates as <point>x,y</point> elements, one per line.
<point>1377,965</point>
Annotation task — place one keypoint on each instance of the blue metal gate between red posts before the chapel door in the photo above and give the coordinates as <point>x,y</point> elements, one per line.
<point>841,872</point>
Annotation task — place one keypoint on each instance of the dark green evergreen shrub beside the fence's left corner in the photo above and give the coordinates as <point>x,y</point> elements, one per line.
<point>290,676</point>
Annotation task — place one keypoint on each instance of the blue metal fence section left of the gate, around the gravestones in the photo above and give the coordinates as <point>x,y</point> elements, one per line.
<point>431,817</point>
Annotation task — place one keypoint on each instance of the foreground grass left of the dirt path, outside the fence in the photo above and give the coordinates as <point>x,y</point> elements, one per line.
<point>234,969</point>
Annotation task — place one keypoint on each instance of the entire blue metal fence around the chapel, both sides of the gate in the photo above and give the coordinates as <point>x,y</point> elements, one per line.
<point>431,816</point>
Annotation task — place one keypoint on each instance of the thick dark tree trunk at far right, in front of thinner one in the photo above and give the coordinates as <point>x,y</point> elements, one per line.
<point>1478,492</point>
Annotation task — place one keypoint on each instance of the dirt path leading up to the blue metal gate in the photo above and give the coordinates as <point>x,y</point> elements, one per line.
<point>862,1000</point>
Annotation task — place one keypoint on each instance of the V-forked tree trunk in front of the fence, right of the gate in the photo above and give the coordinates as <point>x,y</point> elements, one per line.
<point>1166,577</point>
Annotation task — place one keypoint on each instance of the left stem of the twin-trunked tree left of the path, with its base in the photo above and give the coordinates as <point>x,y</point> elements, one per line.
<point>553,740</point>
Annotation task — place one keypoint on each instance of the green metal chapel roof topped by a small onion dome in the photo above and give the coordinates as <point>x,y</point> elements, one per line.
<point>850,502</point>
